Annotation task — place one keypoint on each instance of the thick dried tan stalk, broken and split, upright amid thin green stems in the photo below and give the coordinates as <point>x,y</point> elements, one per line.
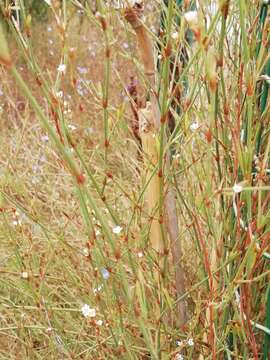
<point>149,119</point>
